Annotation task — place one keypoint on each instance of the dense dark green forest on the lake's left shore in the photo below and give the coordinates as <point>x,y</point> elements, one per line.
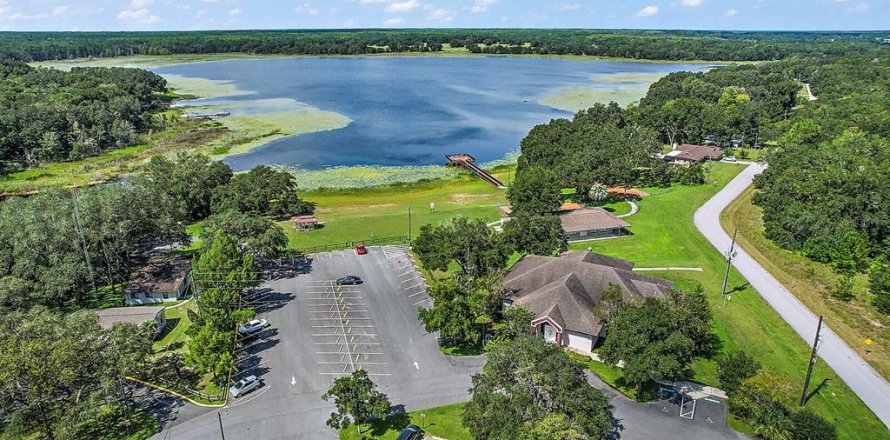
<point>50,115</point>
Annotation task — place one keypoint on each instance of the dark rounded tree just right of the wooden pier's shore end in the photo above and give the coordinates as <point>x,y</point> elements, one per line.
<point>536,190</point>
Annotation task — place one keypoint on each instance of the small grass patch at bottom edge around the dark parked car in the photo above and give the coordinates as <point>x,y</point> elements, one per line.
<point>443,422</point>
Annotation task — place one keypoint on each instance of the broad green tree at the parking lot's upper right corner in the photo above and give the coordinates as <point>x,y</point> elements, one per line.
<point>471,244</point>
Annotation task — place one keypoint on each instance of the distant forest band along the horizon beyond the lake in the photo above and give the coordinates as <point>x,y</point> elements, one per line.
<point>643,44</point>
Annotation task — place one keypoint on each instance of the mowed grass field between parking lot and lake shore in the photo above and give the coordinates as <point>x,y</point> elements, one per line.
<point>364,214</point>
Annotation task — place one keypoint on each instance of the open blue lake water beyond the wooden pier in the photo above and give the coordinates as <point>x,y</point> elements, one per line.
<point>410,110</point>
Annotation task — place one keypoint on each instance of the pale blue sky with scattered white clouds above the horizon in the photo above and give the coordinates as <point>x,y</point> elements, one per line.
<point>86,15</point>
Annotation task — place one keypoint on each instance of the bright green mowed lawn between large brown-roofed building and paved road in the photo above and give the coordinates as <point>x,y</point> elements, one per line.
<point>664,235</point>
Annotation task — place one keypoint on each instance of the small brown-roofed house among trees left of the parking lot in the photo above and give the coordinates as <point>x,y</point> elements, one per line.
<point>162,279</point>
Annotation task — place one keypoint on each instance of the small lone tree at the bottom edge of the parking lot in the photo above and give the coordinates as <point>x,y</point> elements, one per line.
<point>357,401</point>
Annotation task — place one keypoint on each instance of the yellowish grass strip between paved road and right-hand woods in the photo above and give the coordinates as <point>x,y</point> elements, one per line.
<point>811,282</point>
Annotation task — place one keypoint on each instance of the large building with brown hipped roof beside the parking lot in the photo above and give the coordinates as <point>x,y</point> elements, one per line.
<point>562,292</point>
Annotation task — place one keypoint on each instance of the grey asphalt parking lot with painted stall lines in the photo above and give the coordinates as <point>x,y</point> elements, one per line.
<point>320,331</point>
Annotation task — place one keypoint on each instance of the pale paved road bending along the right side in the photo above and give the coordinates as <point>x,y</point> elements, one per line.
<point>873,389</point>
